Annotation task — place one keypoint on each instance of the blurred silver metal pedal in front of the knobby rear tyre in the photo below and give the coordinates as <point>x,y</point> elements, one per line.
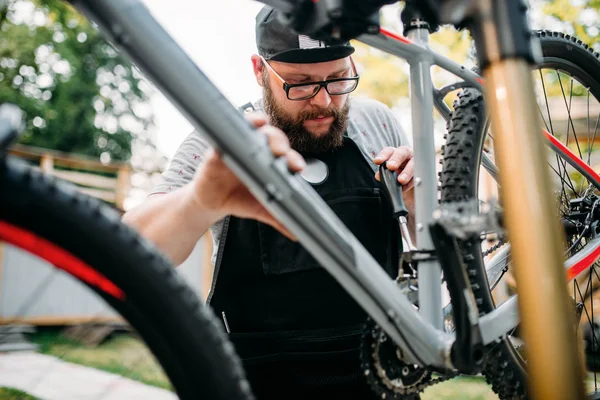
<point>467,219</point>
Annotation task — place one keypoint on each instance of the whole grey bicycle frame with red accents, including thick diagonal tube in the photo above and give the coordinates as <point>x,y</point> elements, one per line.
<point>293,201</point>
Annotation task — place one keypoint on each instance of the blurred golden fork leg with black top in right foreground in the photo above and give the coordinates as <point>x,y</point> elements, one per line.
<point>553,361</point>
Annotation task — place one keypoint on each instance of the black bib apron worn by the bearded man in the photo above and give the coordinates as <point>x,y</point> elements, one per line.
<point>296,330</point>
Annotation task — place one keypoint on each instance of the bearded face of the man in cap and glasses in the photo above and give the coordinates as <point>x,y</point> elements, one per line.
<point>315,125</point>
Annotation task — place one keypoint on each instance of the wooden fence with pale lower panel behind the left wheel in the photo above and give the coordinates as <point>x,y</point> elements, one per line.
<point>64,301</point>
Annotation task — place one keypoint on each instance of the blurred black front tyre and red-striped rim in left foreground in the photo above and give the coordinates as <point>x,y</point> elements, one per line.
<point>84,238</point>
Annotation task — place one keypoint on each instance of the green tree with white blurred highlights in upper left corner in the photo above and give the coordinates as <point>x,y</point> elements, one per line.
<point>78,94</point>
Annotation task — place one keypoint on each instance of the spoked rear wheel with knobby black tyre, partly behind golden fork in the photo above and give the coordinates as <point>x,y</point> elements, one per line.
<point>568,89</point>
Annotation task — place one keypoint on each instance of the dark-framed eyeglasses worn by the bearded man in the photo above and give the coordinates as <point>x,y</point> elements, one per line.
<point>305,91</point>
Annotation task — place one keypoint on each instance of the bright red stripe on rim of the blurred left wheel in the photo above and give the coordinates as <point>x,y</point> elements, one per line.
<point>59,257</point>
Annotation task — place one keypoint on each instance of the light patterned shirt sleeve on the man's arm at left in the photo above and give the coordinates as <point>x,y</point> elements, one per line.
<point>183,165</point>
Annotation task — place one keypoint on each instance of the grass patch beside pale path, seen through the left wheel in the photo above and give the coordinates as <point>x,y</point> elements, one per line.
<point>122,354</point>
